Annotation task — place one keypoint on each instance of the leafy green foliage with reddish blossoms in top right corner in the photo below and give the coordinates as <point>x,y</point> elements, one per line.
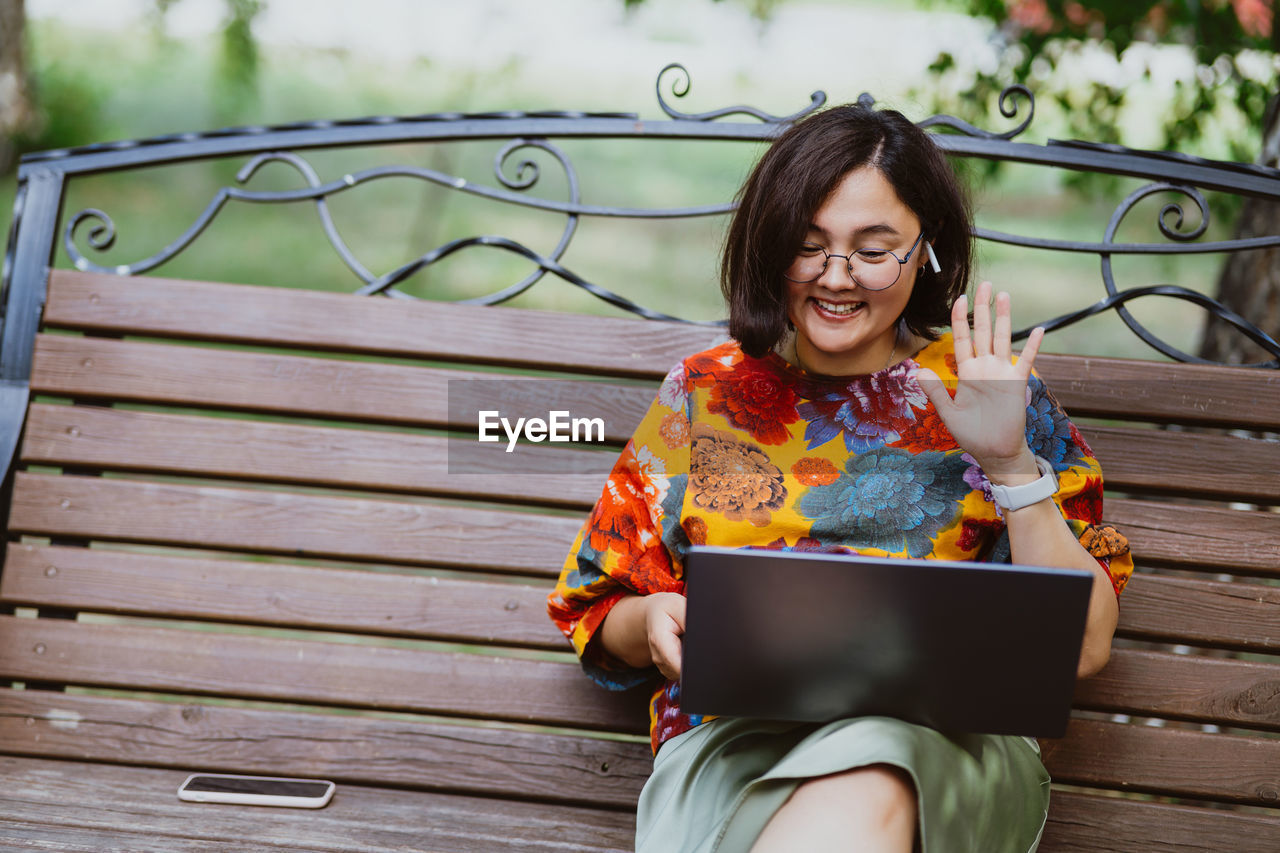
<point>1045,44</point>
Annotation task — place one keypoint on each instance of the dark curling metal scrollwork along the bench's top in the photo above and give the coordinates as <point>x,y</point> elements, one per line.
<point>525,152</point>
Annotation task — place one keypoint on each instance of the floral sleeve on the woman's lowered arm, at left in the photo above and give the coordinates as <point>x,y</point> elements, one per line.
<point>632,542</point>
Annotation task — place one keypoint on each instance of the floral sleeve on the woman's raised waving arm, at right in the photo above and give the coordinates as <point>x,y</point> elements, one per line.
<point>1080,494</point>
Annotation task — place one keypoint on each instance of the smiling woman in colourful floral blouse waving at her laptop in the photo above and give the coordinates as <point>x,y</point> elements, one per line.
<point>839,418</point>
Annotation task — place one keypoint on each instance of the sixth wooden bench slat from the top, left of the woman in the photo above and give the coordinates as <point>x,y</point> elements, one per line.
<point>313,672</point>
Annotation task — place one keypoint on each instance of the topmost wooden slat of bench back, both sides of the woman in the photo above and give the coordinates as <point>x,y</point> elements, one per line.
<point>1141,390</point>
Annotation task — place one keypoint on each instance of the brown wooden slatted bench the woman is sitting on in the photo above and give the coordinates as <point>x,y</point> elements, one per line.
<point>236,544</point>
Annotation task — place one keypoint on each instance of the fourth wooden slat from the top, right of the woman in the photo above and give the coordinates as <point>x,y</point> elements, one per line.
<point>1203,613</point>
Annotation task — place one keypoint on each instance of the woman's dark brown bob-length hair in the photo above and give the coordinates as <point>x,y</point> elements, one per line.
<point>792,181</point>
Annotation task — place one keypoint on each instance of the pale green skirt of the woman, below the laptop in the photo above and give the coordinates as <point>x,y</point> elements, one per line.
<point>716,787</point>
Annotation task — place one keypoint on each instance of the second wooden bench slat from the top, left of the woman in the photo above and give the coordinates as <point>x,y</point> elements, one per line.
<point>317,387</point>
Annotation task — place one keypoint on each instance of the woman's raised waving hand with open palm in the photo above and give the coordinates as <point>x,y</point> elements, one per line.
<point>989,413</point>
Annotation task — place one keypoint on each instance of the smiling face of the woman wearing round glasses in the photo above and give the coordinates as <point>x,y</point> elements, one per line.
<point>843,329</point>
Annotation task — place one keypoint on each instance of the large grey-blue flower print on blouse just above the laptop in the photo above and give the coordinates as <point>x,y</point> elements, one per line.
<point>890,499</point>
